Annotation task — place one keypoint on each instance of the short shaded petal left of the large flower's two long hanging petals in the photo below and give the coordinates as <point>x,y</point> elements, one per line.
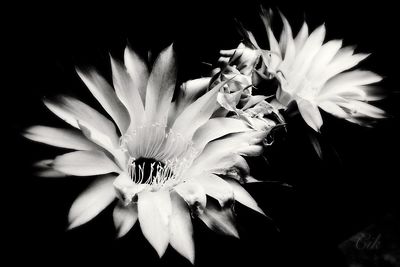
<point>125,218</point>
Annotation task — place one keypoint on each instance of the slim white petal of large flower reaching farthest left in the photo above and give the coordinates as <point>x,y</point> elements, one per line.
<point>65,138</point>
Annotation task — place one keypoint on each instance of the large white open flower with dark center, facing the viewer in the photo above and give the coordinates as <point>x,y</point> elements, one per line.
<point>161,161</point>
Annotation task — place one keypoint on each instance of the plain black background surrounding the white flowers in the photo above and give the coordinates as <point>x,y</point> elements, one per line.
<point>352,189</point>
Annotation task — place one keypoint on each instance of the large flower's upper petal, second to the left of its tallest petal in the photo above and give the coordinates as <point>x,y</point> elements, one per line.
<point>127,91</point>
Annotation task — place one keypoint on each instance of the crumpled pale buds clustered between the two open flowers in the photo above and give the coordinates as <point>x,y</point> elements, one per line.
<point>239,66</point>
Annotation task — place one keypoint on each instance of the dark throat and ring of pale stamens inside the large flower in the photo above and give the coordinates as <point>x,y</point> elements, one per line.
<point>157,158</point>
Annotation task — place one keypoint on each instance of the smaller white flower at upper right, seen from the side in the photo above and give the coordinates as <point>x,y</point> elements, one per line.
<point>317,75</point>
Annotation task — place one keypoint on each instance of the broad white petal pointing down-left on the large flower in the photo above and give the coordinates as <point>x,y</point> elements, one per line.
<point>92,201</point>
